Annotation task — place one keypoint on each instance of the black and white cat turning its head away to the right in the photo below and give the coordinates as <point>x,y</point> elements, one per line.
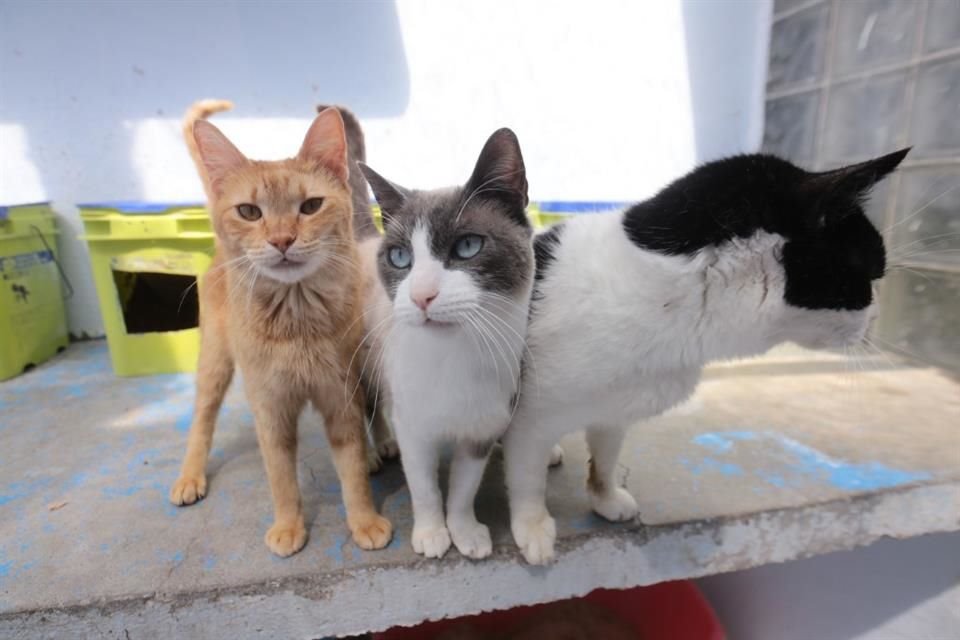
<point>736,257</point>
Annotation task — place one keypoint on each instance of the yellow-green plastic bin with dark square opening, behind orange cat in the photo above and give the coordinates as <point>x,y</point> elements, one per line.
<point>146,259</point>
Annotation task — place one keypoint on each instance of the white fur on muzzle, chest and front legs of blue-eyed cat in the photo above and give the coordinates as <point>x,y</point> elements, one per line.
<point>452,371</point>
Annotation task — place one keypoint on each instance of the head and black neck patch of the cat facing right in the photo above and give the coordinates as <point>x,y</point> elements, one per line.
<point>829,253</point>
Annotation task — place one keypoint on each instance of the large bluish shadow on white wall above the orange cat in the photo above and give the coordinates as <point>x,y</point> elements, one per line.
<point>72,74</point>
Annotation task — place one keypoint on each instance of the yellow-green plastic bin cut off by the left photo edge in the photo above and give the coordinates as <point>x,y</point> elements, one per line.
<point>33,320</point>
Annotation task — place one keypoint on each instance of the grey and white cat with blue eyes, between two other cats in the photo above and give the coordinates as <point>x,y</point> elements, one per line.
<point>458,265</point>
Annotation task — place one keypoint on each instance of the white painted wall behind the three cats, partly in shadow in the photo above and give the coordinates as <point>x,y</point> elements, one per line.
<point>610,99</point>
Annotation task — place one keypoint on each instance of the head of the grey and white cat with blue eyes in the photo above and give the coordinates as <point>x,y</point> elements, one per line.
<point>452,255</point>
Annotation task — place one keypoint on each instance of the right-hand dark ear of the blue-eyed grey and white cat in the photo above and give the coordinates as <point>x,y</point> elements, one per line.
<point>499,172</point>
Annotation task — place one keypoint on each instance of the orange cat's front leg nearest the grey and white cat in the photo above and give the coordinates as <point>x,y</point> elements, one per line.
<point>344,422</point>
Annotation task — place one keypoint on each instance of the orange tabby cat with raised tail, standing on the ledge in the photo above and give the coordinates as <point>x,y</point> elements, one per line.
<point>282,301</point>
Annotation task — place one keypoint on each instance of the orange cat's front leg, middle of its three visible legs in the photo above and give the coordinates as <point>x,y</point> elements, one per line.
<point>276,418</point>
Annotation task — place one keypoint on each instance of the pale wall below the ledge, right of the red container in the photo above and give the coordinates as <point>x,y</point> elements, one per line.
<point>892,590</point>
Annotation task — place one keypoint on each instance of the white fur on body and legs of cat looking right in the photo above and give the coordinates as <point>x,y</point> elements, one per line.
<point>621,334</point>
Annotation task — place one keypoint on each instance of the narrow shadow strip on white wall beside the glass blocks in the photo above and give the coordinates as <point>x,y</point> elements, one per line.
<point>734,34</point>
